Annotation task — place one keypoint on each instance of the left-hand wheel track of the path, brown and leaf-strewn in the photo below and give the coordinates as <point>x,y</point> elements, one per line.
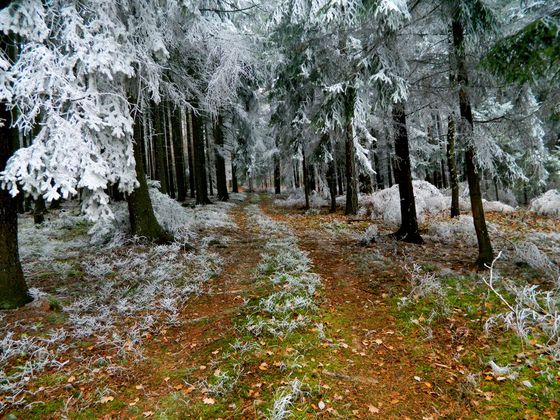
<point>179,359</point>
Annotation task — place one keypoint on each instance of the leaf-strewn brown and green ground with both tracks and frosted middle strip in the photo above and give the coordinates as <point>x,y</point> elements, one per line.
<point>302,321</point>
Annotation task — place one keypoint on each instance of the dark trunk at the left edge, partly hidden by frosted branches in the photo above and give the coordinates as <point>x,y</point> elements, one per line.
<point>13,289</point>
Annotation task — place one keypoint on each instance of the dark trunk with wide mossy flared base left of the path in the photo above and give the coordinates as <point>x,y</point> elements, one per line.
<point>143,222</point>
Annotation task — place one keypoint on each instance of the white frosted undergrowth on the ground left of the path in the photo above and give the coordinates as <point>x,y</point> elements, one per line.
<point>101,276</point>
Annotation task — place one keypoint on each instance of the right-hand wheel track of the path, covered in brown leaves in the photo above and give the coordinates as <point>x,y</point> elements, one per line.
<point>384,372</point>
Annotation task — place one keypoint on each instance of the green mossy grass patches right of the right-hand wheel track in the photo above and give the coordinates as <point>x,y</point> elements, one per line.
<point>468,298</point>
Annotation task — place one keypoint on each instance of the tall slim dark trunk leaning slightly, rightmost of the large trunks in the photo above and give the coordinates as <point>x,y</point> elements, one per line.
<point>485,251</point>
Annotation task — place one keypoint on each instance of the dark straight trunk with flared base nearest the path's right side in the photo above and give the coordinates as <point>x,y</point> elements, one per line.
<point>408,231</point>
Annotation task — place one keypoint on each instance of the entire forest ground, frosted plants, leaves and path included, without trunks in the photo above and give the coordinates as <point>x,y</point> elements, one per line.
<point>268,311</point>
